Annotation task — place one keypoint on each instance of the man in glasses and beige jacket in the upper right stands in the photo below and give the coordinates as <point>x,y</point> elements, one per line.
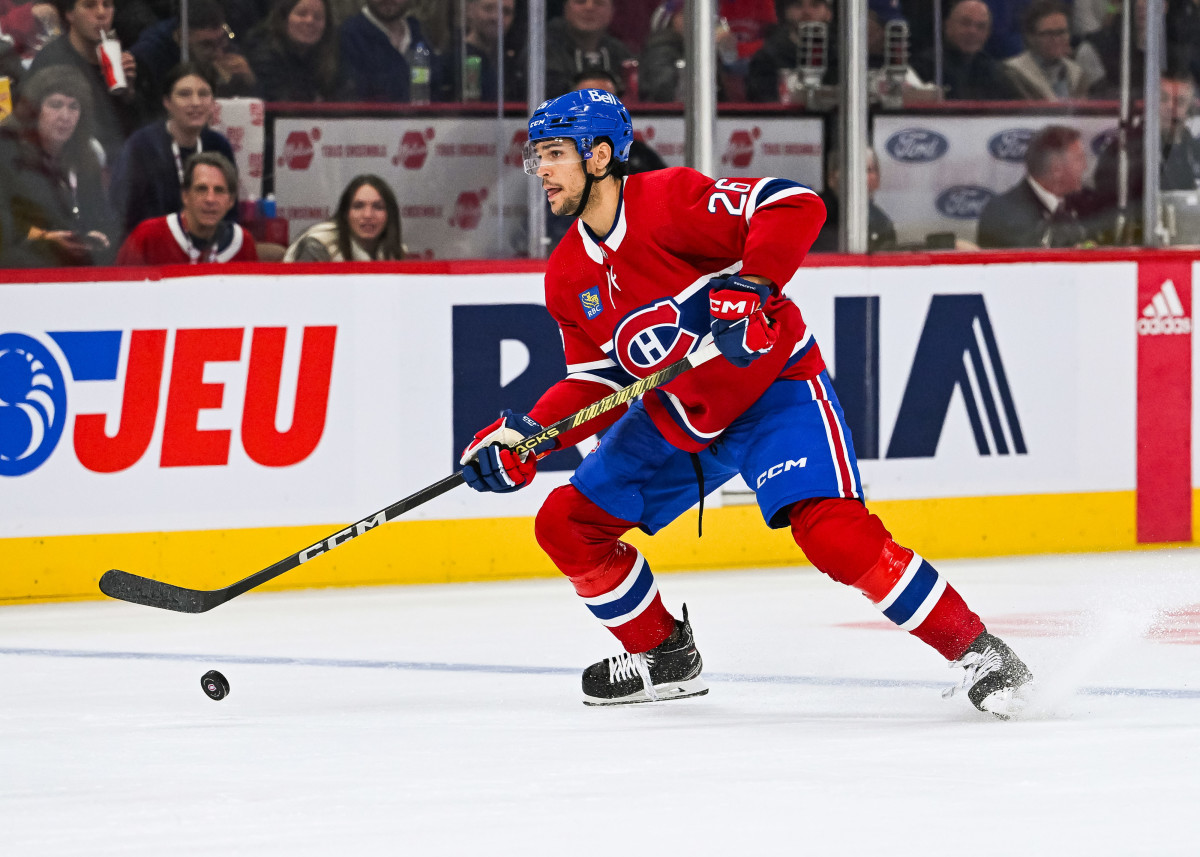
<point>1046,70</point>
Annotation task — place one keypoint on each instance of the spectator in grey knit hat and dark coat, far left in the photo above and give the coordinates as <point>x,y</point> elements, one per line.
<point>52,197</point>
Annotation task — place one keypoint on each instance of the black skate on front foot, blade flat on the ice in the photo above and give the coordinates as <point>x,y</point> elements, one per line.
<point>669,672</point>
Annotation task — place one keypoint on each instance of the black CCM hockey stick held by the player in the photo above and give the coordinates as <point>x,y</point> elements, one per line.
<point>155,594</point>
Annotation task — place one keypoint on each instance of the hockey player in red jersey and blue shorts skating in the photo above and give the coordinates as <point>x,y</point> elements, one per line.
<point>657,266</point>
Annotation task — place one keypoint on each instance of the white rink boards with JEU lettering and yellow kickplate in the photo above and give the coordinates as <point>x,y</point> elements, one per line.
<point>200,429</point>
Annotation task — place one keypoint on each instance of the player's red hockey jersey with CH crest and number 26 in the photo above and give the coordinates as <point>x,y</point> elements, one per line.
<point>637,301</point>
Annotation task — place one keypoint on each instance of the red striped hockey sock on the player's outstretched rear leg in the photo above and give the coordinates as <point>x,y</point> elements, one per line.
<point>853,547</point>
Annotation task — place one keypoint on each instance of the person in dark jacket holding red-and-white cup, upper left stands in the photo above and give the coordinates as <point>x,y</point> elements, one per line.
<point>115,116</point>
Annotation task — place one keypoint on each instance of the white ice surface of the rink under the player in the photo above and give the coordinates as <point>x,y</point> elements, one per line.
<point>447,721</point>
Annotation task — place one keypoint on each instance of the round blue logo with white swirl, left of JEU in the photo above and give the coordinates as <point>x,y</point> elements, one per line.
<point>33,404</point>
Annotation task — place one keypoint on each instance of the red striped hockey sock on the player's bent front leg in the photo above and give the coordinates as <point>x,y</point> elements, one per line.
<point>611,577</point>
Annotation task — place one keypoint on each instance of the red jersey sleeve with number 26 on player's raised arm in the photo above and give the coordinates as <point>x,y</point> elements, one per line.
<point>770,224</point>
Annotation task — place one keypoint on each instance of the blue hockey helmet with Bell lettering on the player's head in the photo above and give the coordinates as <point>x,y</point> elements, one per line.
<point>584,116</point>
